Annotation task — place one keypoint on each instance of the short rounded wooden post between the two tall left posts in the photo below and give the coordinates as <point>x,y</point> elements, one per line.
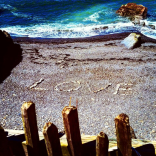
<point>52,140</point>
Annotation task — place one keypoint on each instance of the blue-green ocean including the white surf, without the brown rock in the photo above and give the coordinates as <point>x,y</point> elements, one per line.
<point>70,18</point>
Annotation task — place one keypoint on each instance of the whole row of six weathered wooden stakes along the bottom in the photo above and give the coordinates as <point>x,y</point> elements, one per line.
<point>72,131</point>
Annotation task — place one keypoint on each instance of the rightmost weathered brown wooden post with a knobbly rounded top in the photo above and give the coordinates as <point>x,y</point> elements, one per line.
<point>123,135</point>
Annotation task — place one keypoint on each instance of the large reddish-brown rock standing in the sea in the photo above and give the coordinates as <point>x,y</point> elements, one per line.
<point>132,9</point>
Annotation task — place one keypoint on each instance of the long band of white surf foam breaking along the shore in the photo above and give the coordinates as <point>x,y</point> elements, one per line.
<point>72,30</point>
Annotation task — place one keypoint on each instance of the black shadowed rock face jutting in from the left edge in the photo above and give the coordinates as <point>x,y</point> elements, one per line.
<point>10,55</point>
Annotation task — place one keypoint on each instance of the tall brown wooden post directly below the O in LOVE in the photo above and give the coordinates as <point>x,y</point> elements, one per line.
<point>71,125</point>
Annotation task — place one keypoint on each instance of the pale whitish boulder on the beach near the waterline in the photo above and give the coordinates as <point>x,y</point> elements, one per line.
<point>132,41</point>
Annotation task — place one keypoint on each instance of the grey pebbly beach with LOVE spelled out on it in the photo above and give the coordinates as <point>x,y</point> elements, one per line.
<point>99,72</point>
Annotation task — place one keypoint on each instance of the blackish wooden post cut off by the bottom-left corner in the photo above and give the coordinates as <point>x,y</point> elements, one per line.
<point>4,146</point>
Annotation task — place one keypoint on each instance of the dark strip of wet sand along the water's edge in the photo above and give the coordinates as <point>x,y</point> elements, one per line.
<point>100,38</point>
